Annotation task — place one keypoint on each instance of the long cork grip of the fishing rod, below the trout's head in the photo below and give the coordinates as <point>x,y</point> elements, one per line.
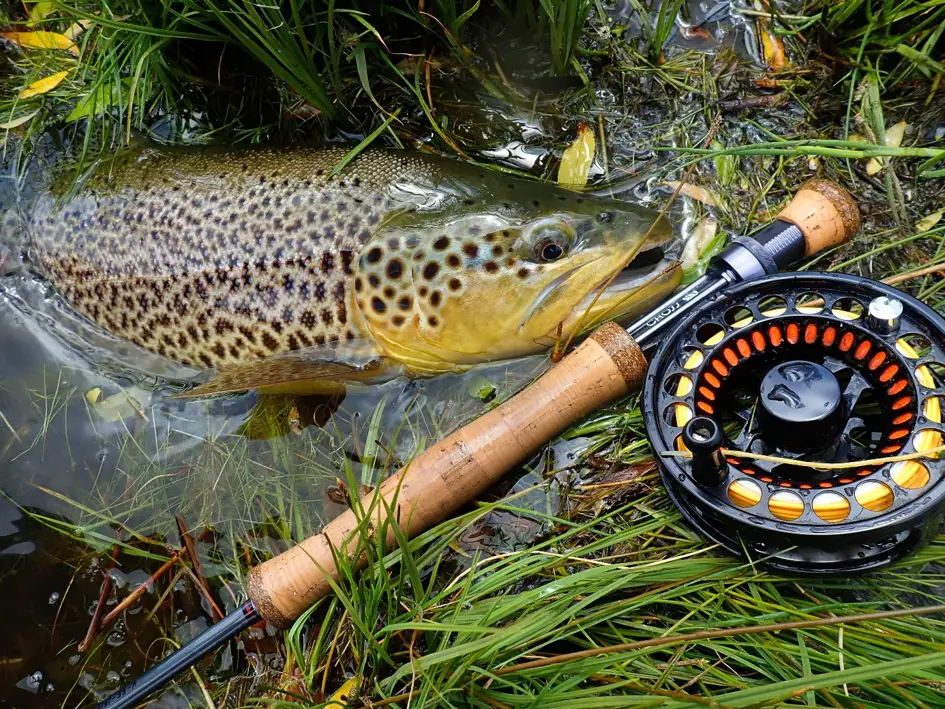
<point>456,470</point>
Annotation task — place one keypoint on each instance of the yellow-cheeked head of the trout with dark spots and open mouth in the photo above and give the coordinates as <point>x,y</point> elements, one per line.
<point>494,282</point>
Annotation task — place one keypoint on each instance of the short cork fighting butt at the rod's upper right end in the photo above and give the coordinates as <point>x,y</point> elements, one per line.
<point>825,213</point>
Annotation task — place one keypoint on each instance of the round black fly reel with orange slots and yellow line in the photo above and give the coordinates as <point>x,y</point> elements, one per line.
<point>804,367</point>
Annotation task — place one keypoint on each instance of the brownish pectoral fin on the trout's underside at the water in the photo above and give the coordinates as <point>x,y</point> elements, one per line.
<point>301,372</point>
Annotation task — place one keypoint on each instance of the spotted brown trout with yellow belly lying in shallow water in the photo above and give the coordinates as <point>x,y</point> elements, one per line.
<point>266,266</point>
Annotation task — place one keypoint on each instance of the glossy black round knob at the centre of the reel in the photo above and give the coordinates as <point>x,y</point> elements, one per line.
<point>800,406</point>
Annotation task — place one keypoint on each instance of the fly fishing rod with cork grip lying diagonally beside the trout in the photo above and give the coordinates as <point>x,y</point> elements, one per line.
<point>449,474</point>
